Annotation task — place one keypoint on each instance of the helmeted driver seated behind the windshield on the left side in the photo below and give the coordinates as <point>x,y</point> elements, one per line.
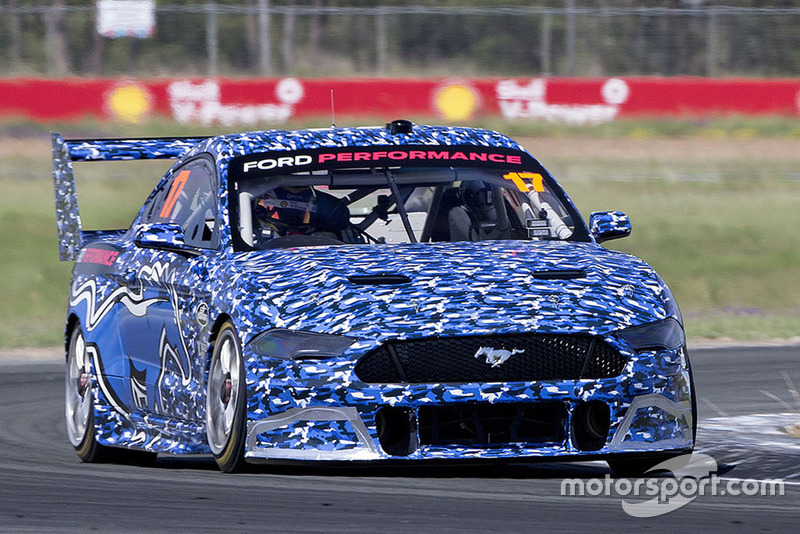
<point>301,211</point>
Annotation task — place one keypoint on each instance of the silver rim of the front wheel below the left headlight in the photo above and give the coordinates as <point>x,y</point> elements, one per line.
<point>222,394</point>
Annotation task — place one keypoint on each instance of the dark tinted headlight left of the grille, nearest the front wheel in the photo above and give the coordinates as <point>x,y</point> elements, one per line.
<point>297,345</point>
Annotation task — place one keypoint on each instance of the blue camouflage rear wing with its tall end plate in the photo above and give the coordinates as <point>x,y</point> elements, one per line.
<point>65,151</point>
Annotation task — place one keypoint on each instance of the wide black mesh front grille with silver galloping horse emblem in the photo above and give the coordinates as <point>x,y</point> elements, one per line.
<point>453,359</point>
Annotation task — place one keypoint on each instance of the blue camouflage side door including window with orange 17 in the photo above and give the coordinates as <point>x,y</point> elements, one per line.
<point>164,339</point>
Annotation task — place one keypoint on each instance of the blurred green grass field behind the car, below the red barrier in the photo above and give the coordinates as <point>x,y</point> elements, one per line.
<point>719,227</point>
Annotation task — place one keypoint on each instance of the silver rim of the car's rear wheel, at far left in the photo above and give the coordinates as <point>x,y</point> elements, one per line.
<point>78,391</point>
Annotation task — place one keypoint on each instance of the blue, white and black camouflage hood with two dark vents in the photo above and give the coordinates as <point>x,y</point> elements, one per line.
<point>452,289</point>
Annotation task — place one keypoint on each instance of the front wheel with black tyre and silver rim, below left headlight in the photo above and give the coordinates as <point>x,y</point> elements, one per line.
<point>226,401</point>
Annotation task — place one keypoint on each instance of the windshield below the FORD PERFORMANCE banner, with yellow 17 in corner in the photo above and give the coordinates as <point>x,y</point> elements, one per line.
<point>399,205</point>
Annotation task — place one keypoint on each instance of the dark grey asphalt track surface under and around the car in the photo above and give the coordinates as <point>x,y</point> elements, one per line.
<point>45,488</point>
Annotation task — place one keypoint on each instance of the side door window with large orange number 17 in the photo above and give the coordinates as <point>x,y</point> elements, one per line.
<point>189,198</point>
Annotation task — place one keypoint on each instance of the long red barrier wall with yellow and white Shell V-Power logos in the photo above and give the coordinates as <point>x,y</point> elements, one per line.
<point>241,101</point>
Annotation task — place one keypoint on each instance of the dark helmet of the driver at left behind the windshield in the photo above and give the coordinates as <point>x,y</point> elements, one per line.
<point>287,210</point>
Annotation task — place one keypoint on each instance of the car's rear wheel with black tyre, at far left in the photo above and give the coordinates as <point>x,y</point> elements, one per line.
<point>79,411</point>
